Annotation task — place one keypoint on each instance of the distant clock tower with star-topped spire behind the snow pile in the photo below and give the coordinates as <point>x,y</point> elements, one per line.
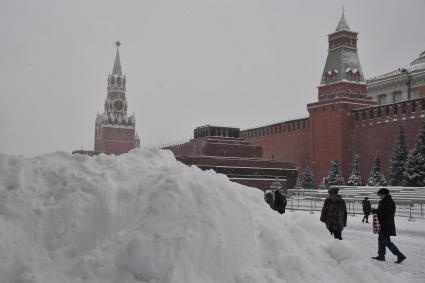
<point>115,131</point>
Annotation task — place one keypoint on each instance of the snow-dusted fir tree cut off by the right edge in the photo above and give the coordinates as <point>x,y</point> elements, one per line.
<point>414,174</point>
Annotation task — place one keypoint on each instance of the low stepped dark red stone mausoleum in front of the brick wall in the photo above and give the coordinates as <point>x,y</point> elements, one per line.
<point>222,150</point>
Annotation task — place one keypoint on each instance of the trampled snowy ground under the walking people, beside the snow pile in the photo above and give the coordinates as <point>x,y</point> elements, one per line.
<point>410,240</point>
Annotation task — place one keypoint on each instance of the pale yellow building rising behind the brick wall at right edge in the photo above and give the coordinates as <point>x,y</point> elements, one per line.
<point>399,85</point>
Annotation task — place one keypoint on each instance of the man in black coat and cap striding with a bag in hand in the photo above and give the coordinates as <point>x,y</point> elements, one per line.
<point>385,213</point>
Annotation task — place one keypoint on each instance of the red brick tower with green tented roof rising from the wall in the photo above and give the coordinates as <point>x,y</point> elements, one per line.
<point>342,88</point>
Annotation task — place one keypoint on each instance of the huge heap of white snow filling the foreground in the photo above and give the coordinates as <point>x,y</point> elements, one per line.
<point>144,217</point>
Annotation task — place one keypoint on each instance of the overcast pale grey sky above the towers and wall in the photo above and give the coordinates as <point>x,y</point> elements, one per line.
<point>188,63</point>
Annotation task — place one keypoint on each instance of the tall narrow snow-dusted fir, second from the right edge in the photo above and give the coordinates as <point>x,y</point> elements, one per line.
<point>398,160</point>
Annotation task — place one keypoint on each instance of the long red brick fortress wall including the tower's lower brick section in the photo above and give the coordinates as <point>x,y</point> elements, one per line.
<point>339,132</point>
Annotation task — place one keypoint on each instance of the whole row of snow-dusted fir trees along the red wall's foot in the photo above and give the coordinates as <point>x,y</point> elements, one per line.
<point>407,168</point>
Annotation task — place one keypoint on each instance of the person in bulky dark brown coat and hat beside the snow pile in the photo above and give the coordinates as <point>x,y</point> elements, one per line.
<point>334,213</point>
